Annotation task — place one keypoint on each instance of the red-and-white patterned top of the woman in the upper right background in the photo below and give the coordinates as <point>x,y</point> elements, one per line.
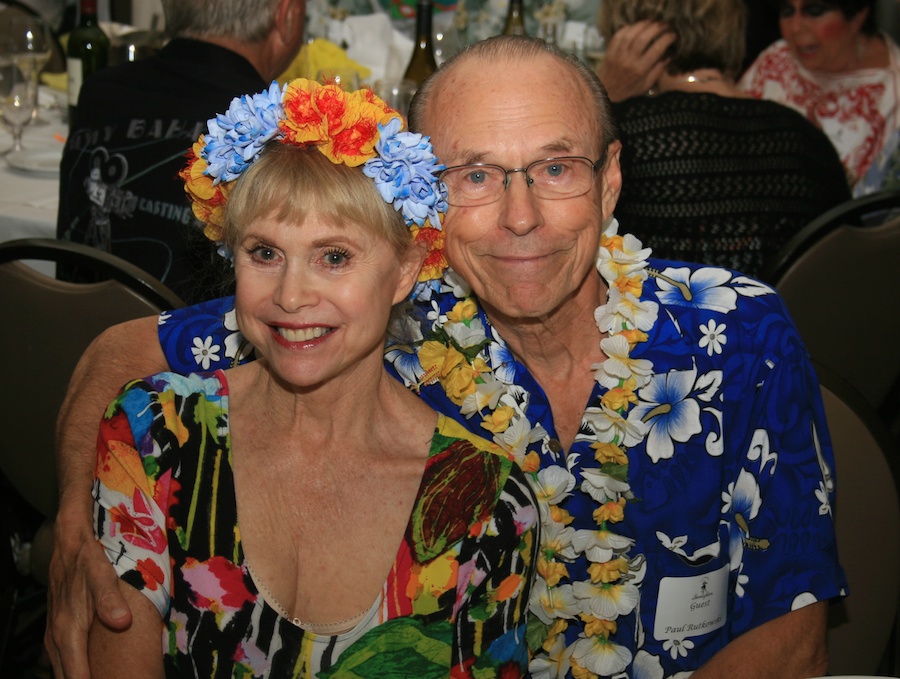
<point>859,111</point>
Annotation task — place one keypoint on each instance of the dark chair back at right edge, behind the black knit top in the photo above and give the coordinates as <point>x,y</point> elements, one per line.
<point>837,278</point>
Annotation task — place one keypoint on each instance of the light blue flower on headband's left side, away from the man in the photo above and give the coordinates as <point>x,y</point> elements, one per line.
<point>237,136</point>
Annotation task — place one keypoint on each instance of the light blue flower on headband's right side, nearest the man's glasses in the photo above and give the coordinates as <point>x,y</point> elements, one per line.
<point>405,172</point>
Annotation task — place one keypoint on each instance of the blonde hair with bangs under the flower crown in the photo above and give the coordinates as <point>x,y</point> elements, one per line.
<point>289,182</point>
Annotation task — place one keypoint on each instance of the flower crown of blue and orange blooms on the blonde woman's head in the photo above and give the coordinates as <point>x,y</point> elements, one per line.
<point>353,128</point>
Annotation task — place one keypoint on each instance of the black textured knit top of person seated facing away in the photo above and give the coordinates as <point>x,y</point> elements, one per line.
<point>720,180</point>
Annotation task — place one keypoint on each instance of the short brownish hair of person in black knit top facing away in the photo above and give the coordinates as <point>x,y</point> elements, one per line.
<point>710,33</point>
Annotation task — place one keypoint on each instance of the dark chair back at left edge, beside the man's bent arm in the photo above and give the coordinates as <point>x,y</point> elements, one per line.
<point>48,325</point>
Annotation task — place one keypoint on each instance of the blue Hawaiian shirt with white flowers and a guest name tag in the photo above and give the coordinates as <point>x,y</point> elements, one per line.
<point>733,486</point>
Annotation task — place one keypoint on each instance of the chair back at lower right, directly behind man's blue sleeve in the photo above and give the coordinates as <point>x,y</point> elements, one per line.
<point>862,628</point>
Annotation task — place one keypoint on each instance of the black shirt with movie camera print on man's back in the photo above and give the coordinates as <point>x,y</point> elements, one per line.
<point>119,185</point>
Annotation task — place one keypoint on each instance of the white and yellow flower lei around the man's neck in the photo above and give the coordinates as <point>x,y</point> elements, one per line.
<point>456,354</point>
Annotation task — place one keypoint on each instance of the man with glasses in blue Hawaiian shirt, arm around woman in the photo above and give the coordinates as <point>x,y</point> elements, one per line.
<point>666,413</point>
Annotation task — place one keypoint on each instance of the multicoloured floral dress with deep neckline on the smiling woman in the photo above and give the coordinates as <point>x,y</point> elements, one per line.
<point>454,603</point>
